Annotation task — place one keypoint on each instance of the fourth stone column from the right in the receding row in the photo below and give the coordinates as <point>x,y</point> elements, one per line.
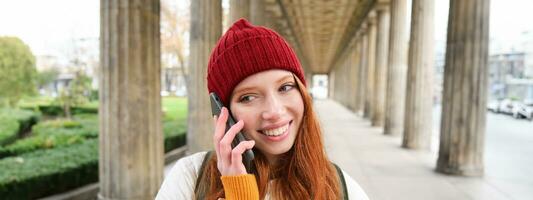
<point>382,52</point>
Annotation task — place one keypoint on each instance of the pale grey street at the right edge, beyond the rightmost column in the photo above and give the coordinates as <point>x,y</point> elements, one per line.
<point>508,153</point>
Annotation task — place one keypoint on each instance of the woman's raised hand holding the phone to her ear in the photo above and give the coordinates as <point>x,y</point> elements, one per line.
<point>229,161</point>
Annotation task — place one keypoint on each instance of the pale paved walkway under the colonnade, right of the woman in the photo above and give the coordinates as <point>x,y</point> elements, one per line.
<point>387,171</point>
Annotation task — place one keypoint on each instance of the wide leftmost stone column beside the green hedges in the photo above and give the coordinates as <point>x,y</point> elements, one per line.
<point>131,138</point>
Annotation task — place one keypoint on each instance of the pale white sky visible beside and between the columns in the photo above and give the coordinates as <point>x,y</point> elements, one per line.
<point>49,27</point>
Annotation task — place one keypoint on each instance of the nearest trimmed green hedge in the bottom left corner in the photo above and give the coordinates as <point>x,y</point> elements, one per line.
<point>46,172</point>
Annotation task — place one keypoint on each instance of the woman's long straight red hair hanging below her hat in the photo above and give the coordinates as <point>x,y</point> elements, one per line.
<point>304,172</point>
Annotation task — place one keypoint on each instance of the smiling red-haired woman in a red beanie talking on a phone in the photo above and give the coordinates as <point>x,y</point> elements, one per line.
<point>258,76</point>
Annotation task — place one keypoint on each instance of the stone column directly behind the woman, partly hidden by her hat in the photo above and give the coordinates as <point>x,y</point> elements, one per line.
<point>206,29</point>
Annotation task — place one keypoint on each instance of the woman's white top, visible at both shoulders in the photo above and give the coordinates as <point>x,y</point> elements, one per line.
<point>180,182</point>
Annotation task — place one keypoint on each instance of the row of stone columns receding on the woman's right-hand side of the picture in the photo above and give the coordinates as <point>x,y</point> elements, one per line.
<point>390,78</point>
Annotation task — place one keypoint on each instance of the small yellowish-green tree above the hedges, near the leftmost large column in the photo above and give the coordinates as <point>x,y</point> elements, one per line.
<point>76,93</point>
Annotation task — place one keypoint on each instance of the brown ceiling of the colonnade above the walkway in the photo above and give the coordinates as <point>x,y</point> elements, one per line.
<point>321,29</point>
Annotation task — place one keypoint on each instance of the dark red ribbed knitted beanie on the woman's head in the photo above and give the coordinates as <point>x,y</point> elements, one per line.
<point>244,50</point>
